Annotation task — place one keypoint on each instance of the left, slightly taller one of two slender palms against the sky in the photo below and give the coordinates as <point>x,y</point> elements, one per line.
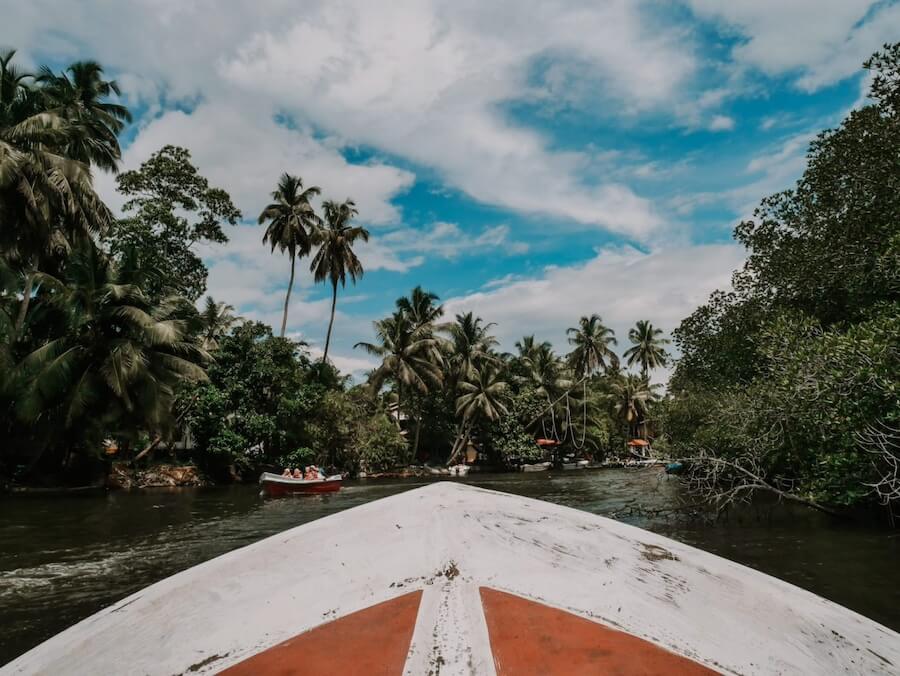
<point>291,222</point>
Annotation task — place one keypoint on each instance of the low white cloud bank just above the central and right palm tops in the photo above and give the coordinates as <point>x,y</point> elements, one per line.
<point>622,285</point>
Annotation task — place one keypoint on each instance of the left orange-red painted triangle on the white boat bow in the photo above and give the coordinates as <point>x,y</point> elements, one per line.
<point>373,641</point>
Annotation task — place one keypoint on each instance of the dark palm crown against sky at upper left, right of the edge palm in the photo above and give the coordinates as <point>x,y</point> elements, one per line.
<point>82,100</point>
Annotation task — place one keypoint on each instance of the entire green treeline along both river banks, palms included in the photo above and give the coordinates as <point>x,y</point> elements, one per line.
<point>786,382</point>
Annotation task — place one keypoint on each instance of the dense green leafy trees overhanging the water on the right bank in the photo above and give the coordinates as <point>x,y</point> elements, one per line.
<point>790,380</point>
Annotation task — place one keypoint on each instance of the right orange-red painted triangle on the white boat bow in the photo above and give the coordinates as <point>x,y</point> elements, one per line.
<point>530,638</point>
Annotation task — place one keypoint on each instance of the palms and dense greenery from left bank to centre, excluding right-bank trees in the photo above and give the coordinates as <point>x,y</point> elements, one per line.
<point>109,351</point>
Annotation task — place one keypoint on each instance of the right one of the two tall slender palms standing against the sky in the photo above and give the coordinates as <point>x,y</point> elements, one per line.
<point>335,258</point>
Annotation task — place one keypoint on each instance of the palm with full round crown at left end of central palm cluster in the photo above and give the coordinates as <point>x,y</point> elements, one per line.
<point>409,355</point>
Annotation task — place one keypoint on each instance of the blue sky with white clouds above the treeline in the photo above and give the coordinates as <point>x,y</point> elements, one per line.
<point>529,161</point>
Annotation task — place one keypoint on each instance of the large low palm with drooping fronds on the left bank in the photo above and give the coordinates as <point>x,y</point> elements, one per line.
<point>121,358</point>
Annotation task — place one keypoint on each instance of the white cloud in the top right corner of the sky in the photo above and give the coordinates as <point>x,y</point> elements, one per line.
<point>822,40</point>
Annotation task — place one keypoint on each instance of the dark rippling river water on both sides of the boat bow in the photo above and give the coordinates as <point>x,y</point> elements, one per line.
<point>63,558</point>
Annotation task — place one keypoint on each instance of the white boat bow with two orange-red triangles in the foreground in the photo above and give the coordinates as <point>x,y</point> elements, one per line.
<point>453,579</point>
